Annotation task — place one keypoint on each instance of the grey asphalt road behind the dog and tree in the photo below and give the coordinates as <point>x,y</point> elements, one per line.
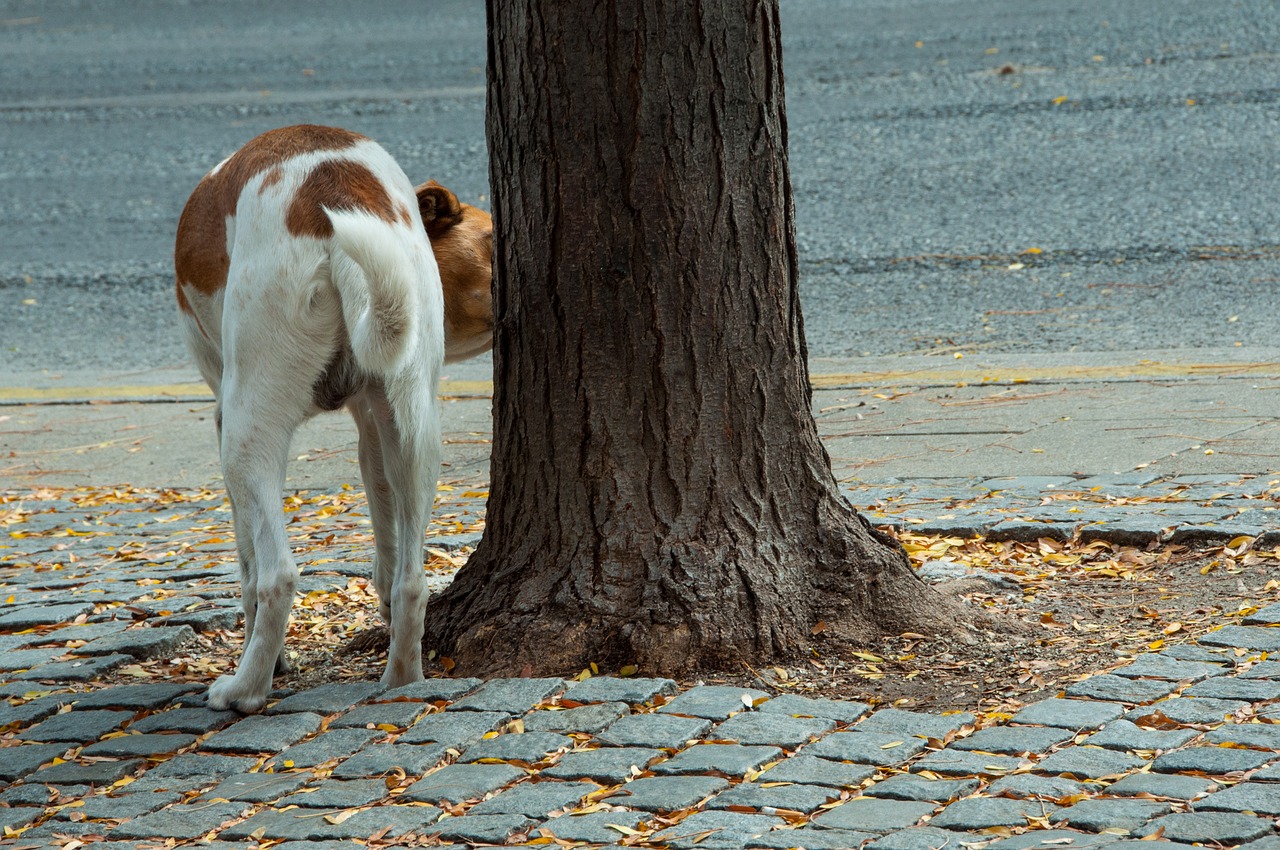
<point>935,144</point>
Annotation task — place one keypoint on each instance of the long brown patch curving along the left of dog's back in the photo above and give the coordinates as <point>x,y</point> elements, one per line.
<point>200,253</point>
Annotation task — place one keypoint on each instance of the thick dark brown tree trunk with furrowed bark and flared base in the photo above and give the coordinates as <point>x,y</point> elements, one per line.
<point>660,492</point>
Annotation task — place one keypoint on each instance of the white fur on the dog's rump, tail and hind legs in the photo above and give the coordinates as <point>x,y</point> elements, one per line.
<point>289,307</point>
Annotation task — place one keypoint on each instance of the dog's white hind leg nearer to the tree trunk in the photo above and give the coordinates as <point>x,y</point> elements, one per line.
<point>409,429</point>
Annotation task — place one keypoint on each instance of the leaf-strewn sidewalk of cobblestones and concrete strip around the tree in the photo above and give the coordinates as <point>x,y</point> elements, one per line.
<point>1182,746</point>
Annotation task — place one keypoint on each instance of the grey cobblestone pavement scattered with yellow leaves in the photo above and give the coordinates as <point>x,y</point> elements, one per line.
<point>1181,746</point>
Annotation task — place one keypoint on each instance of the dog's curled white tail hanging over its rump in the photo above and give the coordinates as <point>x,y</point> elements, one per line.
<point>374,276</point>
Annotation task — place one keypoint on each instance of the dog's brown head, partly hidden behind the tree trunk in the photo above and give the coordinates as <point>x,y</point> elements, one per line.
<point>464,252</point>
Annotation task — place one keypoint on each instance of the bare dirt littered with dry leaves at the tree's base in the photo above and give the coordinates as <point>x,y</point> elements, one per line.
<point>1075,611</point>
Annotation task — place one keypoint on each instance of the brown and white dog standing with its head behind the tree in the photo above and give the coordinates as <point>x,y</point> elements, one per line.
<point>313,276</point>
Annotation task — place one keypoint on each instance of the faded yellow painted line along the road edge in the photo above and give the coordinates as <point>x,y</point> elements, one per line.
<point>830,381</point>
